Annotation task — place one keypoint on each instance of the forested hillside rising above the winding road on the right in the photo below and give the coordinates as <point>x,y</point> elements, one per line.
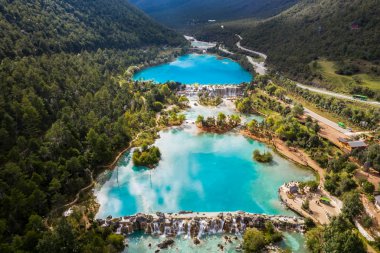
<point>335,29</point>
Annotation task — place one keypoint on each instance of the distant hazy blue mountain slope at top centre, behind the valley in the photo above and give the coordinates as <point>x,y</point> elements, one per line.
<point>177,13</point>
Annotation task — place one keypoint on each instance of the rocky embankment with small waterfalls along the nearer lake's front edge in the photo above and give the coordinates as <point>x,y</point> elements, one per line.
<point>195,225</point>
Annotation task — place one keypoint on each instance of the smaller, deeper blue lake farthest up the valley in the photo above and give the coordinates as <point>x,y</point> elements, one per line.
<point>197,68</point>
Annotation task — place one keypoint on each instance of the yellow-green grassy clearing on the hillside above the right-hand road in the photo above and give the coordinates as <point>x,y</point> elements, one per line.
<point>343,83</point>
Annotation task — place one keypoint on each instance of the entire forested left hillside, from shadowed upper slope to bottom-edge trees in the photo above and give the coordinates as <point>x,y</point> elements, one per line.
<point>67,109</point>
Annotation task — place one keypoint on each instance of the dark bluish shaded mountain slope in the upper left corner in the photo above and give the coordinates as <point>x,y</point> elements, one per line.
<point>35,27</point>
